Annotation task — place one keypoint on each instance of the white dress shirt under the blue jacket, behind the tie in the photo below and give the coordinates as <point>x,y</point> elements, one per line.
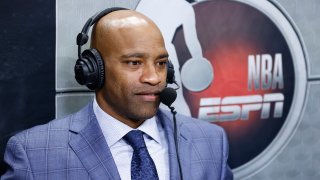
<point>154,137</point>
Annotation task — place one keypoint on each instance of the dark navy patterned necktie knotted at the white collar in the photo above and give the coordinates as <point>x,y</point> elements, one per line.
<point>142,165</point>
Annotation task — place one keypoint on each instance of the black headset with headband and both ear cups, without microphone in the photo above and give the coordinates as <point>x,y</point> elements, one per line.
<point>89,68</point>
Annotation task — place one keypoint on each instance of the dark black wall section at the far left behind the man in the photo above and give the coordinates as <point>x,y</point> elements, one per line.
<point>27,66</point>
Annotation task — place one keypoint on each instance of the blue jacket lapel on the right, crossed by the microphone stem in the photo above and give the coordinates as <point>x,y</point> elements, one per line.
<point>184,146</point>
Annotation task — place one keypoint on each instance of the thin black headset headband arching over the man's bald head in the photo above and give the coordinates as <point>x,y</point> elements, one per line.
<point>83,37</point>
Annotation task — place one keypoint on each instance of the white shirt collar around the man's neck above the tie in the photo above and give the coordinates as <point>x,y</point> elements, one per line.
<point>114,130</point>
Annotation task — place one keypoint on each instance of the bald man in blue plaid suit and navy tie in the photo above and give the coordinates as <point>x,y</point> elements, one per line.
<point>96,142</point>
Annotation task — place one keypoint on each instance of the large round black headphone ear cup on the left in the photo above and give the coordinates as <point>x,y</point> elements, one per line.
<point>89,69</point>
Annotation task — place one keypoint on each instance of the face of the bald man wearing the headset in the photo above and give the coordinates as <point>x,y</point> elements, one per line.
<point>135,73</point>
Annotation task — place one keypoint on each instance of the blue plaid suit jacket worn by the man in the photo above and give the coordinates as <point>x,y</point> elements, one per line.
<point>75,148</point>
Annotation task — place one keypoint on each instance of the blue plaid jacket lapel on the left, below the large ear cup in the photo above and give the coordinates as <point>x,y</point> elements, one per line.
<point>90,146</point>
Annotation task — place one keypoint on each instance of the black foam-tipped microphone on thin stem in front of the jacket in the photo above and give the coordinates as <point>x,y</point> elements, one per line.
<point>167,97</point>
